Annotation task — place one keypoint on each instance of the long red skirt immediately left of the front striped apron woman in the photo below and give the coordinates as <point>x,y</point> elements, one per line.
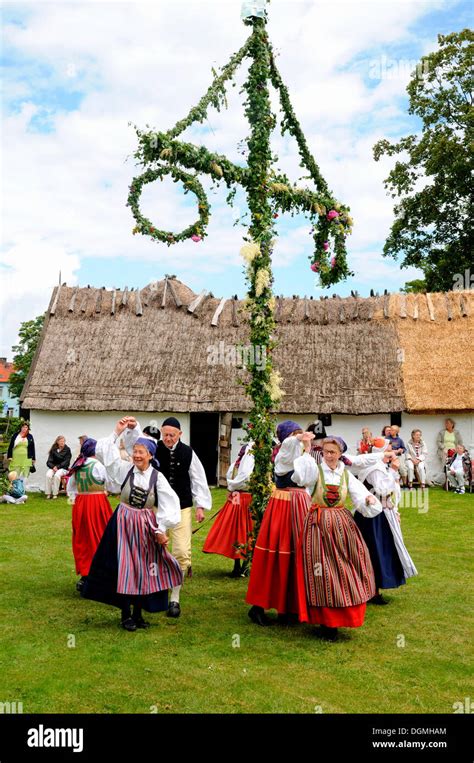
<point>273,583</point>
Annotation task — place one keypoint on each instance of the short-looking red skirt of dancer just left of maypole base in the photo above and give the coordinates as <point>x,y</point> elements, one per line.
<point>232,527</point>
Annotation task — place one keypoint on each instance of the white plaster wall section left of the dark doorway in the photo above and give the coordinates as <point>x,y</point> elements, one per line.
<point>47,425</point>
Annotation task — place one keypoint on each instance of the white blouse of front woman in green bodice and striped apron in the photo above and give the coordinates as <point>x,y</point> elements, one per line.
<point>307,473</point>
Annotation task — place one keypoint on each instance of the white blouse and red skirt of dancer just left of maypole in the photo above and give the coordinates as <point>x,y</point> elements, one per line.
<point>234,524</point>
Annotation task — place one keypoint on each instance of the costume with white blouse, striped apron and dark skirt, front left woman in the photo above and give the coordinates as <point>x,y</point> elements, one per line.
<point>129,566</point>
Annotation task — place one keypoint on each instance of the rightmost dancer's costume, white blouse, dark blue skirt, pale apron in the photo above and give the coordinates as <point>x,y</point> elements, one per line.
<point>382,534</point>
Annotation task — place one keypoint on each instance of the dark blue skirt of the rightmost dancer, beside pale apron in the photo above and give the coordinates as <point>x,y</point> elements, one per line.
<point>383,554</point>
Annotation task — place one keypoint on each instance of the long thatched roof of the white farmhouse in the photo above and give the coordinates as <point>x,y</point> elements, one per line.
<point>147,350</point>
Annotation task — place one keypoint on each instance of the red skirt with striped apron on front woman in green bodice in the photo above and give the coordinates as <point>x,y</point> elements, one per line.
<point>331,539</point>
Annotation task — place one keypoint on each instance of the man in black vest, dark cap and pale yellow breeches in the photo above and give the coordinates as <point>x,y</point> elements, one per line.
<point>185,473</point>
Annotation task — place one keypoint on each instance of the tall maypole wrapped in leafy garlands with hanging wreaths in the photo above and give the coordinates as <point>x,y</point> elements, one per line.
<point>269,194</point>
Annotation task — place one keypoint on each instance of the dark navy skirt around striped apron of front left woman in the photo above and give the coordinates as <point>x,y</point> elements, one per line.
<point>101,582</point>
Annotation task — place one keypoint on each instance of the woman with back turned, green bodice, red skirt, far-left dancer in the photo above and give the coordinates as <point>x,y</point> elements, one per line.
<point>91,509</point>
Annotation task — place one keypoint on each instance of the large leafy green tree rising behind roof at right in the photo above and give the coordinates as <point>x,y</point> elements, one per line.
<point>433,177</point>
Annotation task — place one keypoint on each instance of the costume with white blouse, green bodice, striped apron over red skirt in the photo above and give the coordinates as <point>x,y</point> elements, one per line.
<point>334,571</point>
